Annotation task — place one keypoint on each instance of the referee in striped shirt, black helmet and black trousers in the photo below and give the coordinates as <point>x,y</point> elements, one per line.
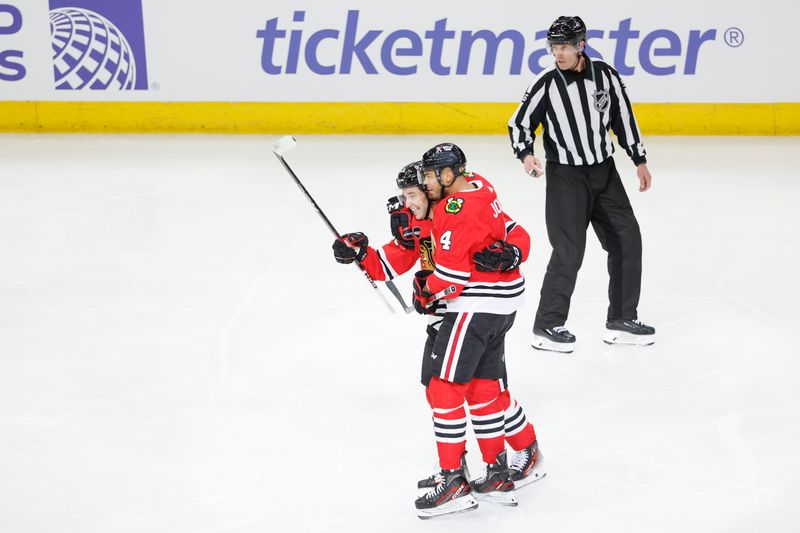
<point>577,102</point>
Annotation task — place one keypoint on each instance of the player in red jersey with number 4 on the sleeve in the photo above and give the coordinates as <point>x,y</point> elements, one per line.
<point>469,230</point>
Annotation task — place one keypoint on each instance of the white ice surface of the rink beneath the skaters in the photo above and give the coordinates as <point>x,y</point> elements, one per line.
<point>179,352</point>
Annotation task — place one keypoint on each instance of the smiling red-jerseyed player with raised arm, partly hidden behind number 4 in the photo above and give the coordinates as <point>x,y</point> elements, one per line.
<point>410,225</point>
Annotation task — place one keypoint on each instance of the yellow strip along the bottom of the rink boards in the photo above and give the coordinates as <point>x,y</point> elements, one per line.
<point>377,118</point>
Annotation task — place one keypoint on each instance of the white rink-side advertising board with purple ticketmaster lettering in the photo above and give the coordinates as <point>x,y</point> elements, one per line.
<point>359,51</point>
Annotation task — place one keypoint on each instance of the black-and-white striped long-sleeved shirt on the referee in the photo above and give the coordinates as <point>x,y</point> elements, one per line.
<point>577,110</point>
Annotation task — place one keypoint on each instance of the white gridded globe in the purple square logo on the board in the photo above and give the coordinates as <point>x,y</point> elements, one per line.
<point>89,51</point>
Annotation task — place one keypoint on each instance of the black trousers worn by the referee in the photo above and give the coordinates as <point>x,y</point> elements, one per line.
<point>576,196</point>
